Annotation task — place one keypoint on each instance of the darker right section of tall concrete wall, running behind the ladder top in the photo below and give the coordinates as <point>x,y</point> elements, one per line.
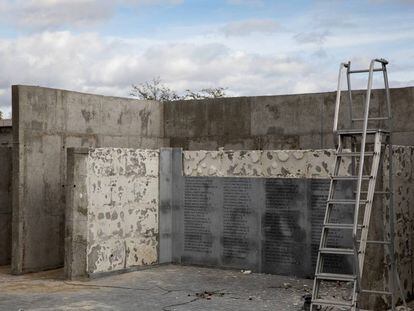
<point>302,121</point>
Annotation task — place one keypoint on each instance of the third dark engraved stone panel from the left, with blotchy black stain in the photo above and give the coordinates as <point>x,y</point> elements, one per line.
<point>285,250</point>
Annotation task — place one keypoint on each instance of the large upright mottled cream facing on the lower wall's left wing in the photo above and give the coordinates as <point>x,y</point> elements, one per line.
<point>122,209</point>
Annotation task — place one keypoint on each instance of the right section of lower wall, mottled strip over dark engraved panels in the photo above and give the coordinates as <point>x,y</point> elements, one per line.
<point>258,217</point>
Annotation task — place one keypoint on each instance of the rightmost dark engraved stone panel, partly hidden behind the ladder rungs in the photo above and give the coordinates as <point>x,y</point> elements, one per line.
<point>319,190</point>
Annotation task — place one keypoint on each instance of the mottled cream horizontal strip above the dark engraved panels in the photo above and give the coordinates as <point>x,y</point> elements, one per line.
<point>262,163</point>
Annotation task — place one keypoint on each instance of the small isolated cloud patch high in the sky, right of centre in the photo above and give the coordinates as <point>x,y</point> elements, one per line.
<point>247,27</point>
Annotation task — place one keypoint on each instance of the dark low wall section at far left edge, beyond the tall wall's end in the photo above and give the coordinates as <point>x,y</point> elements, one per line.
<point>5,204</point>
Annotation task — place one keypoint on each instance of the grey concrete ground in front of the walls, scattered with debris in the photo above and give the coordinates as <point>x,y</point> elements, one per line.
<point>165,288</point>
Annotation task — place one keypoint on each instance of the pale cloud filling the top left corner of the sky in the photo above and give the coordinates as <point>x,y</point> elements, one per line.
<point>54,14</point>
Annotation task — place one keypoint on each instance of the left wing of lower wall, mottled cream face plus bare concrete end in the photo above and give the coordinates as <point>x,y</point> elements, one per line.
<point>112,210</point>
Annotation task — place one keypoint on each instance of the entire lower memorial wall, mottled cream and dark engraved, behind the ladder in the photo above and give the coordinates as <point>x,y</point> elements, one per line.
<point>256,210</point>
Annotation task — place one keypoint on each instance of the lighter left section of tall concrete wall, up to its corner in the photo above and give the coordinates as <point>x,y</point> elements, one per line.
<point>47,122</point>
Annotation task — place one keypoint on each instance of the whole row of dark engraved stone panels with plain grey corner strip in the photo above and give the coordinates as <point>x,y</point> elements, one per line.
<point>270,225</point>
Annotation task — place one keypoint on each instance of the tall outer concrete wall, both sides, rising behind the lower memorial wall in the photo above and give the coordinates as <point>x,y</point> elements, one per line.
<point>47,121</point>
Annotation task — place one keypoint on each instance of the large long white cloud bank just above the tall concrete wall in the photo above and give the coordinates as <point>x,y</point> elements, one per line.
<point>91,63</point>
